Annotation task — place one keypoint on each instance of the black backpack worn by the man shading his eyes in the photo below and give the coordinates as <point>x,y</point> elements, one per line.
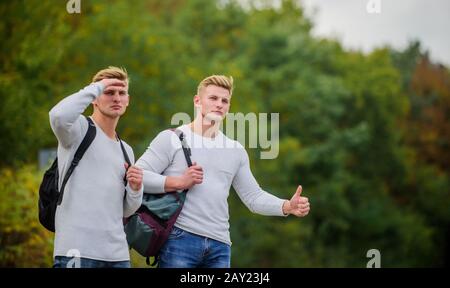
<point>49,196</point>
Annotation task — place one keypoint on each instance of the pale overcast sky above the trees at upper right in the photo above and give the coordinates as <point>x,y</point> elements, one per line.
<point>397,23</point>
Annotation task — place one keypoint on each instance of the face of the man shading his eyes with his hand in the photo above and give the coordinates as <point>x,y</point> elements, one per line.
<point>113,101</point>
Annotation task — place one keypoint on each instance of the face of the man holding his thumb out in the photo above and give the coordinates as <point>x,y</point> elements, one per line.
<point>213,102</point>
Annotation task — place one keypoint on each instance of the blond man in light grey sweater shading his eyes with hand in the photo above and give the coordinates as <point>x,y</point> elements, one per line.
<point>88,222</point>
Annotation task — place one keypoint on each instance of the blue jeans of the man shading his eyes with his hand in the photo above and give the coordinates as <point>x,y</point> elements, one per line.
<point>63,262</point>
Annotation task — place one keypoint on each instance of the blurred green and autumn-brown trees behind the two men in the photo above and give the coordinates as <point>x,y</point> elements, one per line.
<point>367,135</point>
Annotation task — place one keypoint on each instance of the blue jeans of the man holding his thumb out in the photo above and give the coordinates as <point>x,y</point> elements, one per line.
<point>187,250</point>
